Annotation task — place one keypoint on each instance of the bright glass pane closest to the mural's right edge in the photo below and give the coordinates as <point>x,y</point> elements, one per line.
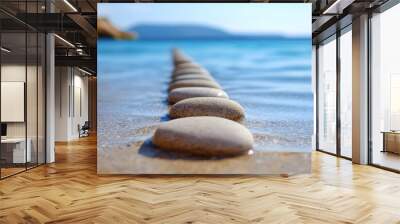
<point>327,96</point>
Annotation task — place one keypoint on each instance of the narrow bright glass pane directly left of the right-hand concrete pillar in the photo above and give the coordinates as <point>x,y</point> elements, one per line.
<point>346,94</point>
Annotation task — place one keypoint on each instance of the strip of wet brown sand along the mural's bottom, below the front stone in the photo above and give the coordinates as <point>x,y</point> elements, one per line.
<point>143,158</point>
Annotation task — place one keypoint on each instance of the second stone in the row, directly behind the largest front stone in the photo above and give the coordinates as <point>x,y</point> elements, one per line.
<point>207,106</point>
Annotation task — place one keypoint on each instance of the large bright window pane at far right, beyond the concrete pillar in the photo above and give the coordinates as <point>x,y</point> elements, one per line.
<point>386,89</point>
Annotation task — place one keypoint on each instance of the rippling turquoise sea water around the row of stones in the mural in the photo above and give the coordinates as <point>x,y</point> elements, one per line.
<point>271,79</point>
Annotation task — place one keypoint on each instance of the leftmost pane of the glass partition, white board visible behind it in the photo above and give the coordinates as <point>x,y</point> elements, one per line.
<point>13,90</point>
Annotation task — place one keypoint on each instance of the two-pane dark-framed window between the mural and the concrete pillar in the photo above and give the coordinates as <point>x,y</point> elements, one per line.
<point>334,106</point>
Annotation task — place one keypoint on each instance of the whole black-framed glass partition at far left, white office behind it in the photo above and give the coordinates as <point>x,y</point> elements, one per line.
<point>22,77</point>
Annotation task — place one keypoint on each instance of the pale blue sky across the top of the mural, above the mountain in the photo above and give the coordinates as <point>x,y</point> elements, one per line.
<point>286,19</point>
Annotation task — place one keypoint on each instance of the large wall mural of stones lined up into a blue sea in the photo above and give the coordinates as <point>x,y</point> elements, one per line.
<point>204,88</point>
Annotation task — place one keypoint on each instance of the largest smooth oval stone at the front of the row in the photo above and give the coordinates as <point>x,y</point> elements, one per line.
<point>203,136</point>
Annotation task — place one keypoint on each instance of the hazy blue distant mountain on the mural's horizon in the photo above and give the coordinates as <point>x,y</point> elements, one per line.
<point>177,32</point>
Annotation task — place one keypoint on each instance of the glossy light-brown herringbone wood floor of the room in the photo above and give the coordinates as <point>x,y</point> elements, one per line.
<point>69,191</point>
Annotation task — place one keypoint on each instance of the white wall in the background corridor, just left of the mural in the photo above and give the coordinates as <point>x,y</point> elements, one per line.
<point>70,83</point>
